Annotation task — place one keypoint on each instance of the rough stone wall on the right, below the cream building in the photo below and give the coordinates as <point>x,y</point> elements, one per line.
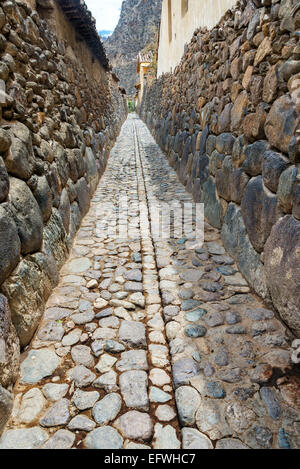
<point>228,119</point>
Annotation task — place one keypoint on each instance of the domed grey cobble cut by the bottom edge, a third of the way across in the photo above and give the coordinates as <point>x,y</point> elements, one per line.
<point>104,438</point>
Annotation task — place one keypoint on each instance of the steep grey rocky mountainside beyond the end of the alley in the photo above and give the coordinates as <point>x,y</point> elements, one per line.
<point>138,25</point>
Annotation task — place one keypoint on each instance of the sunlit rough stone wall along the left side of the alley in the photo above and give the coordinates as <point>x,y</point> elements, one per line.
<point>60,112</point>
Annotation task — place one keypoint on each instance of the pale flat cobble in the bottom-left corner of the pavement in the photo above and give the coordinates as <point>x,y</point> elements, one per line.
<point>25,438</point>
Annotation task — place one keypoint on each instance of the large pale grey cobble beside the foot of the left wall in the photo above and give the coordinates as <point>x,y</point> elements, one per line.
<point>38,365</point>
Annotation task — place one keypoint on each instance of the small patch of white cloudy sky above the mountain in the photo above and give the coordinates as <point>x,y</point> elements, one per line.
<point>106,12</point>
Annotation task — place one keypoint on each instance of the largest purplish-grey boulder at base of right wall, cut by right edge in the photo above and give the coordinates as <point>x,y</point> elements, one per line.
<point>282,266</point>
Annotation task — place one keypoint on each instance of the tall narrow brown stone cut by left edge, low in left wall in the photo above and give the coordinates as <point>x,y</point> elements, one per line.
<point>9,346</point>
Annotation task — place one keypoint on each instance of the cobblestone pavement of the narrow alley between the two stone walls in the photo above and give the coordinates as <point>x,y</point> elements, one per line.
<point>151,343</point>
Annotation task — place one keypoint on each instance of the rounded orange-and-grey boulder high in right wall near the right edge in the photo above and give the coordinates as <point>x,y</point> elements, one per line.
<point>281,123</point>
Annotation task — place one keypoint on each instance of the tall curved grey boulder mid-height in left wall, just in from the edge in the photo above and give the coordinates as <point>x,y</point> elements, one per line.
<point>27,216</point>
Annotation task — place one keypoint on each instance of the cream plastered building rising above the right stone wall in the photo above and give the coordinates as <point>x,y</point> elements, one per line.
<point>180,19</point>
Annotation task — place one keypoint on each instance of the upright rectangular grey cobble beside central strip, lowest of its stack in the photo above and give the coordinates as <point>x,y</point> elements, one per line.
<point>133,385</point>
